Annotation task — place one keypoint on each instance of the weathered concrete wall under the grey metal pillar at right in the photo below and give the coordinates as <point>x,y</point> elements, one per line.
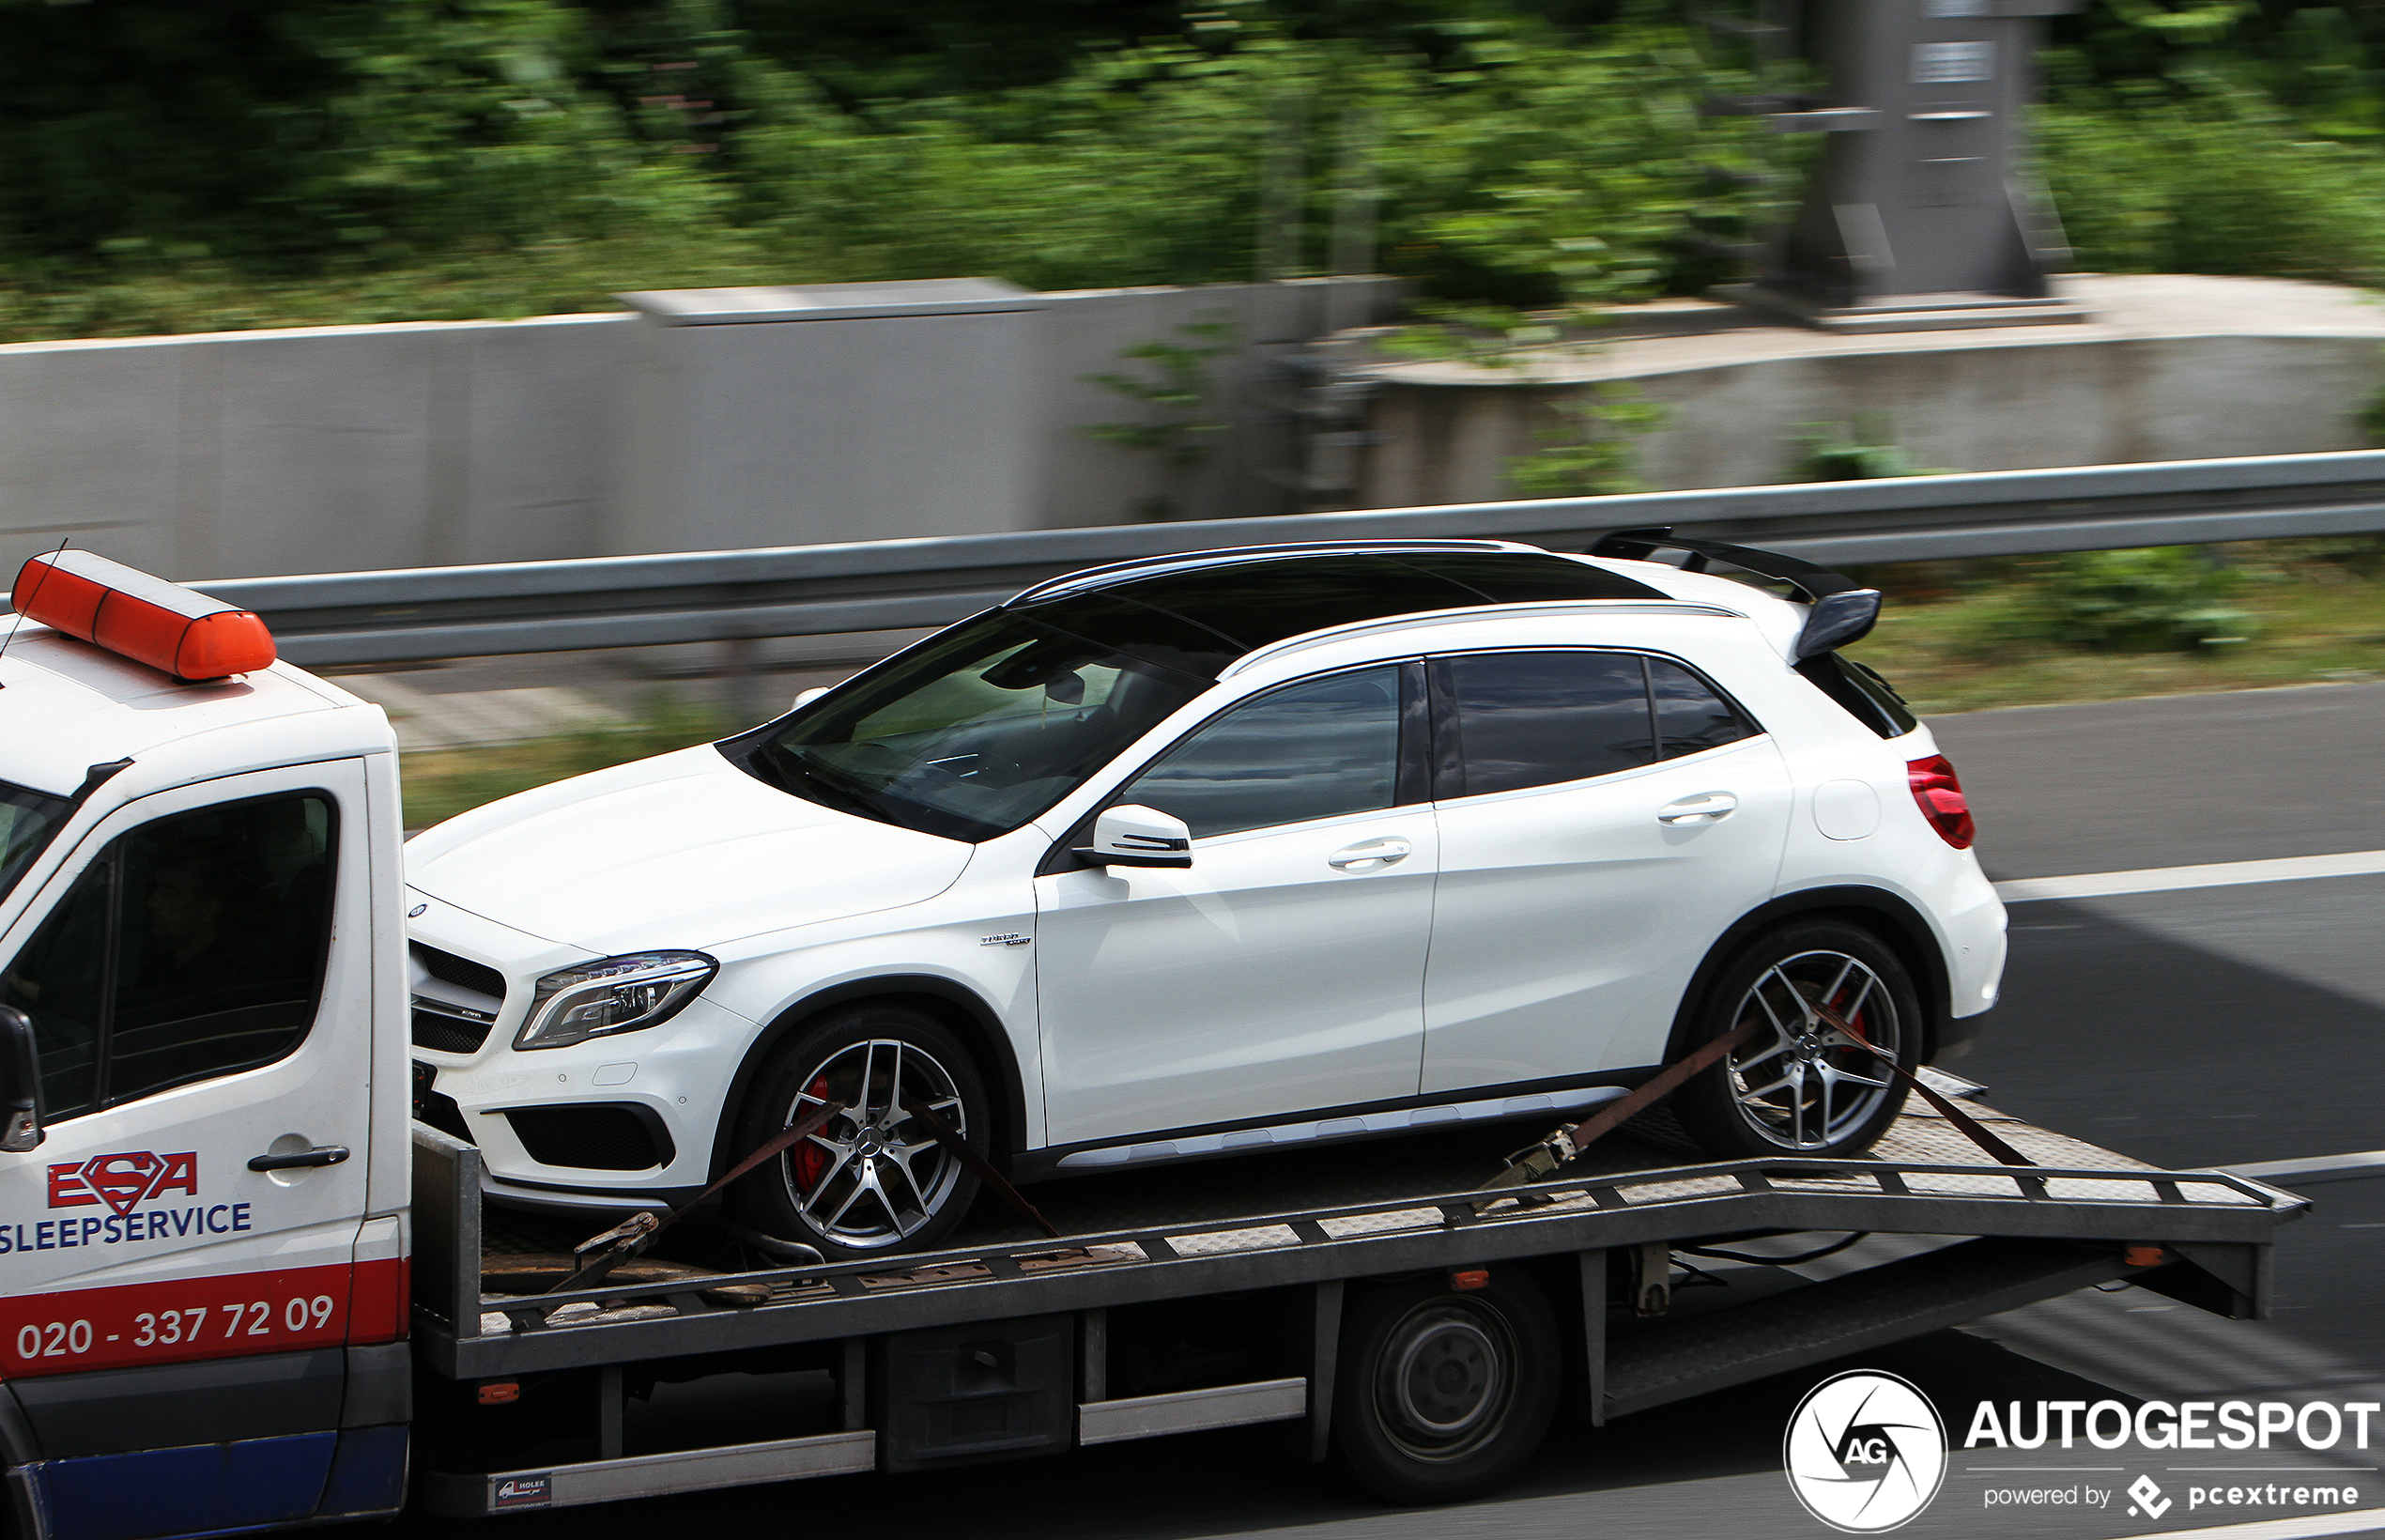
<point>2172,368</point>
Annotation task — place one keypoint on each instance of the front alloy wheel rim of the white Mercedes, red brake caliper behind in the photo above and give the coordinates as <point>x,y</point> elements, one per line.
<point>874,1176</point>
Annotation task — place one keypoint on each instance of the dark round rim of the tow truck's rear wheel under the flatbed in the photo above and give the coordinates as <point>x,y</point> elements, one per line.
<point>1447,1381</point>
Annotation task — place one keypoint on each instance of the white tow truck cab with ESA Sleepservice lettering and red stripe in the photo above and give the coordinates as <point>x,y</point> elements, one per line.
<point>202,998</point>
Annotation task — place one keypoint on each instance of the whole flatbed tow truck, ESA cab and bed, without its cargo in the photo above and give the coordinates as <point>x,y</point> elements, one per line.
<point>254,1291</point>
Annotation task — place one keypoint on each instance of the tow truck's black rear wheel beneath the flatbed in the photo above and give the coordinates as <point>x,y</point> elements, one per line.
<point>1439,1393</point>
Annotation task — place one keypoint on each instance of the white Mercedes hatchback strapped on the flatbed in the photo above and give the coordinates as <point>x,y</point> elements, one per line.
<point>1208,855</point>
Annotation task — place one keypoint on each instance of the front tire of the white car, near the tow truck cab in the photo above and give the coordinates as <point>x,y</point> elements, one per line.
<point>843,1191</point>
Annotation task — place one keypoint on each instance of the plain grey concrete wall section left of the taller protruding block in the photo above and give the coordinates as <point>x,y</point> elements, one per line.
<point>321,449</point>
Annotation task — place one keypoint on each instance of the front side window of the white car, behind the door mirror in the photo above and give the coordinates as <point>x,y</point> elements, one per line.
<point>1303,752</point>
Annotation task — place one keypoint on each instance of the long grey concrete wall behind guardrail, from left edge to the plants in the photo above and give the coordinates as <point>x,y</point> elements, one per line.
<point>328,449</point>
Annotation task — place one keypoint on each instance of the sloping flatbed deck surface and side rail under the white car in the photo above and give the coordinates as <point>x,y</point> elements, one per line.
<point>1342,1212</point>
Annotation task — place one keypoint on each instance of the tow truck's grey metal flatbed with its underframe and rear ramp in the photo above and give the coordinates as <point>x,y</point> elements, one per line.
<point>1284,1236</point>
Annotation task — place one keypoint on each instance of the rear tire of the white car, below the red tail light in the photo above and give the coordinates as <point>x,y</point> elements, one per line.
<point>1799,1088</point>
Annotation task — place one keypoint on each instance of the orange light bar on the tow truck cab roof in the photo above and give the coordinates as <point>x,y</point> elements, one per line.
<point>140,616</point>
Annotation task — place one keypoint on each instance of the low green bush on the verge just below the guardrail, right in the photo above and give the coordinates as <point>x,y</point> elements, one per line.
<point>2133,602</point>
